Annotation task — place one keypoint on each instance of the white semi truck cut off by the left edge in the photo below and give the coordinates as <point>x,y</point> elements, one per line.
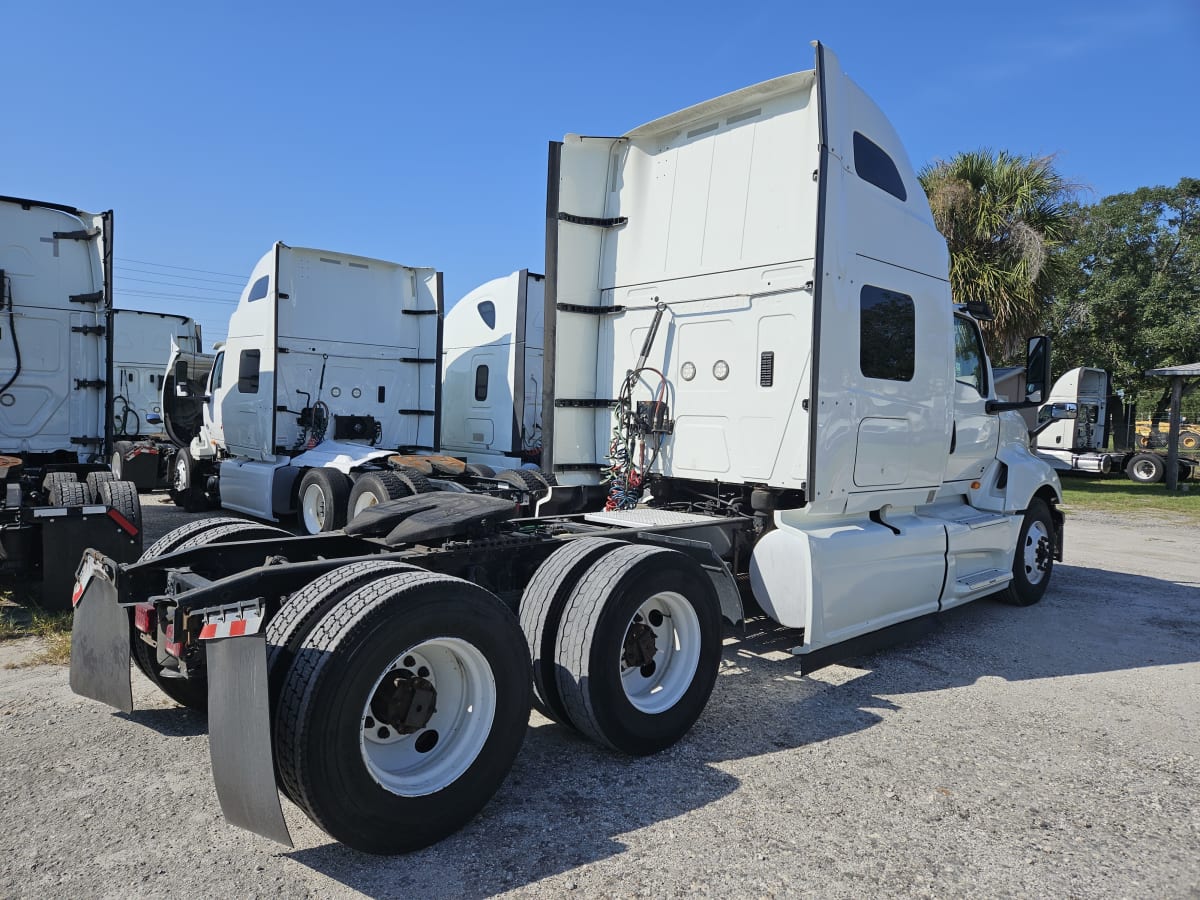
<point>57,399</point>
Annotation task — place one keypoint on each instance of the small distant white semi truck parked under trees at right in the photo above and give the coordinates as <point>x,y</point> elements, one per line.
<point>1075,434</point>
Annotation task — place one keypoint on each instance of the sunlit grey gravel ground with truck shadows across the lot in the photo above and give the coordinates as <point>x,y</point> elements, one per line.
<point>1012,753</point>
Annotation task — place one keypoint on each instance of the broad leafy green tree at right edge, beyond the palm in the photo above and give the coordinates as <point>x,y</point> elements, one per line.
<point>1131,301</point>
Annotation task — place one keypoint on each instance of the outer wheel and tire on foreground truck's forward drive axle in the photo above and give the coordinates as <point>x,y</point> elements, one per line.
<point>639,650</point>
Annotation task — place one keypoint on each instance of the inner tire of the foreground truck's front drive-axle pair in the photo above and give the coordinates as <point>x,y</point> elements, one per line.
<point>542,614</point>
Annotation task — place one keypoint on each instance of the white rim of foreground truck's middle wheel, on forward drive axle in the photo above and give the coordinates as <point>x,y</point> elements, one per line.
<point>662,683</point>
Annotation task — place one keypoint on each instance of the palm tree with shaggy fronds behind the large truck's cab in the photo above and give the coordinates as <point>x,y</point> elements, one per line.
<point>1004,218</point>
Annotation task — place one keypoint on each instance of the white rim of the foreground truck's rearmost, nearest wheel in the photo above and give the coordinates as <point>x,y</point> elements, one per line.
<point>439,754</point>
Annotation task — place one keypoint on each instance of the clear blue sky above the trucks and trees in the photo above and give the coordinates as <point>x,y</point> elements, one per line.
<point>418,133</point>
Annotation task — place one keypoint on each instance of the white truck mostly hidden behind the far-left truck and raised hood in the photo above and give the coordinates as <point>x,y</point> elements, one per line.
<point>143,343</point>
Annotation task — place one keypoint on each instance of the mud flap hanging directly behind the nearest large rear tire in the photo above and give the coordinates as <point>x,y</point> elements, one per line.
<point>241,736</point>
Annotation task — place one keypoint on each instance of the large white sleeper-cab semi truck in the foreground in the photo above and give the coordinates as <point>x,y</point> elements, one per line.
<point>755,362</point>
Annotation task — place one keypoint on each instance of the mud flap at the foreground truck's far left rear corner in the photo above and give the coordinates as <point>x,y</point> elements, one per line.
<point>100,635</point>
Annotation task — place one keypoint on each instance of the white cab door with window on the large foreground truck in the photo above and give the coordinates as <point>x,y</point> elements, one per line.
<point>976,434</point>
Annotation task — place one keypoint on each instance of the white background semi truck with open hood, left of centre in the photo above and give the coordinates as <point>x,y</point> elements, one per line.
<point>325,400</point>
